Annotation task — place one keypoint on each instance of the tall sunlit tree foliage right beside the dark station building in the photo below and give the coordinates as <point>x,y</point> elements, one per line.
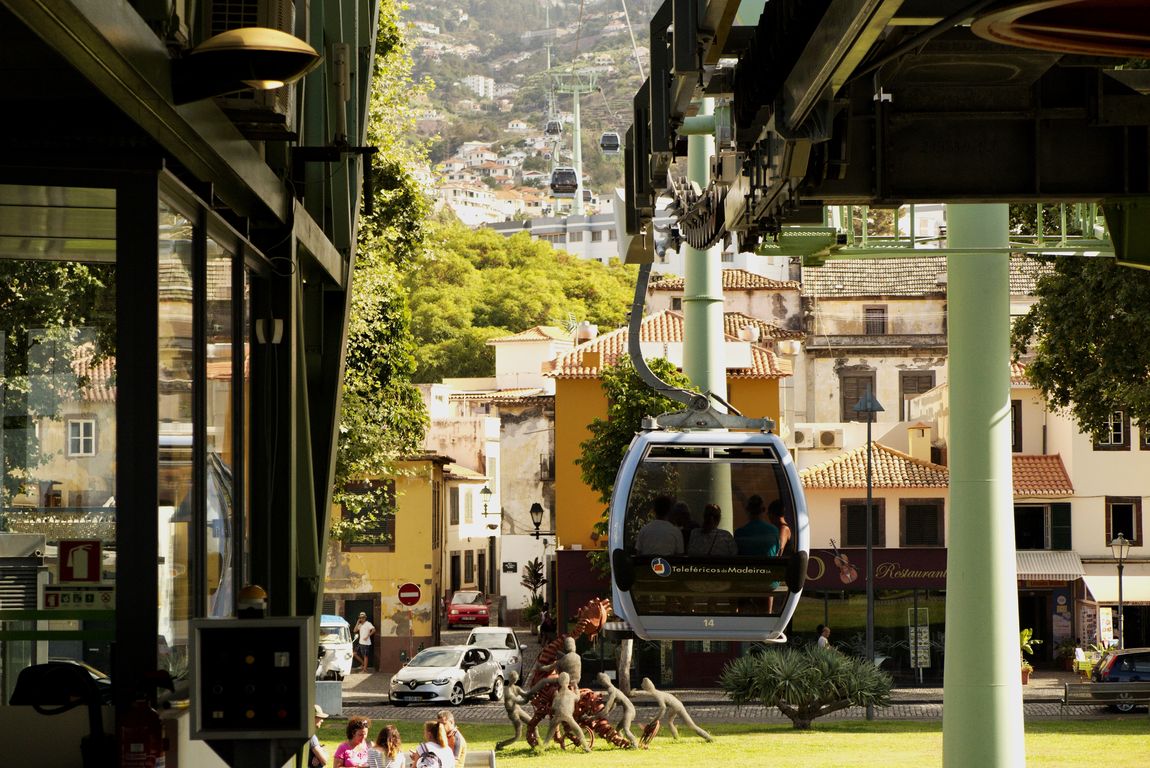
<point>384,417</point>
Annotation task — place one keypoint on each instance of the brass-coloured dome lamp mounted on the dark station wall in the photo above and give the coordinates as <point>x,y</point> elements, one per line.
<point>249,58</point>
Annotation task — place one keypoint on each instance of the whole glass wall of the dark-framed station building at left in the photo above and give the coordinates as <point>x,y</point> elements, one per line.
<point>58,395</point>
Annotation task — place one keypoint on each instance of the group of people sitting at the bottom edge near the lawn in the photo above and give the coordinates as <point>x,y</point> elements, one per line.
<point>443,747</point>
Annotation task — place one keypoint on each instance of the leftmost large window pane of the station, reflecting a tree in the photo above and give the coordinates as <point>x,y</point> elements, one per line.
<point>58,363</point>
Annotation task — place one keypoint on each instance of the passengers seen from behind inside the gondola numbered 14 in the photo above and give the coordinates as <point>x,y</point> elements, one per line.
<point>673,532</point>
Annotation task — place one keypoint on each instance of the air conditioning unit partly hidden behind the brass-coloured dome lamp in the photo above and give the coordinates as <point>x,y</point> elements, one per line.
<point>266,113</point>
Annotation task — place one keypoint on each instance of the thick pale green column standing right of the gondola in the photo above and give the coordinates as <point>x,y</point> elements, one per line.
<point>983,713</point>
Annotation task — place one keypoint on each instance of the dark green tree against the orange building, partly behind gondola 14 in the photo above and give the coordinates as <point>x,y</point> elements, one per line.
<point>630,401</point>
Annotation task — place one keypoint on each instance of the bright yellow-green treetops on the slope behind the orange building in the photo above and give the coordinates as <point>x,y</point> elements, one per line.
<point>469,287</point>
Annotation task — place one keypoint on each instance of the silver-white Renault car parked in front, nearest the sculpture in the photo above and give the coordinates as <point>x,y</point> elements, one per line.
<point>450,673</point>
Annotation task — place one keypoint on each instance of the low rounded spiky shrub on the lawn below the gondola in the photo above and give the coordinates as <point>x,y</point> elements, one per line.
<point>806,683</point>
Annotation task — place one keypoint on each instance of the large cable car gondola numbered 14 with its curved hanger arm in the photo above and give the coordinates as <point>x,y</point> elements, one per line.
<point>731,585</point>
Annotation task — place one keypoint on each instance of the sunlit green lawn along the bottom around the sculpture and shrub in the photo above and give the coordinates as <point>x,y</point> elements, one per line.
<point>885,744</point>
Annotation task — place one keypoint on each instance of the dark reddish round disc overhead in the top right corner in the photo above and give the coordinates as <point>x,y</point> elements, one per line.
<point>1099,28</point>
